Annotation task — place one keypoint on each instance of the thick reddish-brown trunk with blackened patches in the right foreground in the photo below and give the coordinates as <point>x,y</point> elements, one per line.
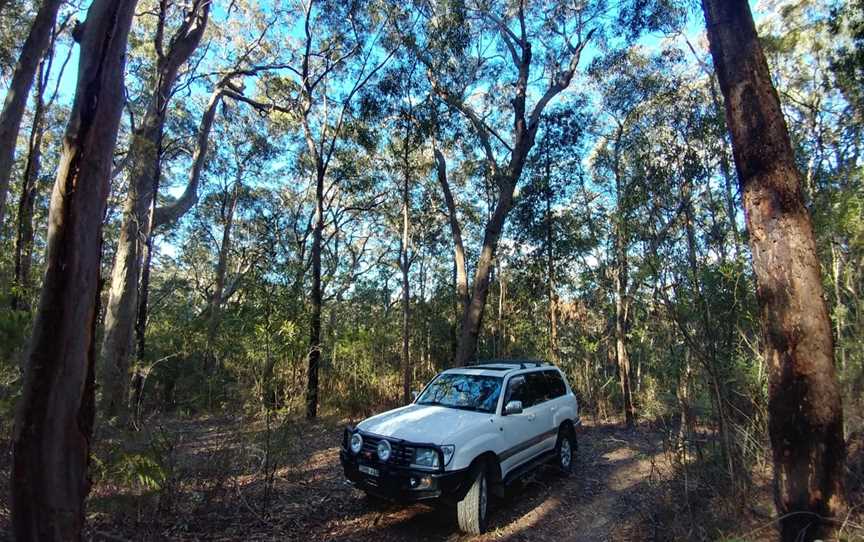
<point>805,412</point>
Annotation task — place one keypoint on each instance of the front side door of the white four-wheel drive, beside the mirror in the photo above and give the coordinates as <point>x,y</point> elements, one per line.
<point>519,432</point>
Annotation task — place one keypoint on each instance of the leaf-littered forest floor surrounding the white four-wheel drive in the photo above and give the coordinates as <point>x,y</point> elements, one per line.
<point>219,479</point>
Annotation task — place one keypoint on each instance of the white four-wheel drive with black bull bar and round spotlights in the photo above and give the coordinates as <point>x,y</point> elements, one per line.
<point>470,429</point>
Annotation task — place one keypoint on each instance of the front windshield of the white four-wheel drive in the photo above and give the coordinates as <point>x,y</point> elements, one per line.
<point>463,391</point>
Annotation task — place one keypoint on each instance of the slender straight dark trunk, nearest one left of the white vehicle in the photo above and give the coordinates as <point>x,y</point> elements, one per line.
<point>314,357</point>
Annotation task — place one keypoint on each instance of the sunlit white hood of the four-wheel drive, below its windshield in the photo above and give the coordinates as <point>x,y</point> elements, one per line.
<point>425,424</point>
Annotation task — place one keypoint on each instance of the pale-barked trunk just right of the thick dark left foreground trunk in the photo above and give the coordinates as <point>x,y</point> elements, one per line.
<point>143,156</point>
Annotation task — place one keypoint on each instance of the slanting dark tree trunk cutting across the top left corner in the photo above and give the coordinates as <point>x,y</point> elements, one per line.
<point>32,52</point>
